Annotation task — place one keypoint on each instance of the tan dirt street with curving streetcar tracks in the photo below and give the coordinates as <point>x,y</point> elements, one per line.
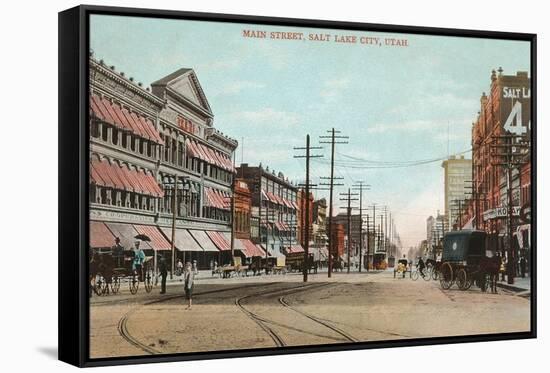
<point>278,311</point>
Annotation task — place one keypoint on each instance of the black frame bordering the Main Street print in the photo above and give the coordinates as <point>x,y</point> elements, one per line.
<point>74,170</point>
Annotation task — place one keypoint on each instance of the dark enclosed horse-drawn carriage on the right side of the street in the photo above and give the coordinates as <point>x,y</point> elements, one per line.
<point>465,261</point>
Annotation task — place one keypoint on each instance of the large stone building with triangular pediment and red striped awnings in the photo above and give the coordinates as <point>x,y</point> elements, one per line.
<point>155,156</point>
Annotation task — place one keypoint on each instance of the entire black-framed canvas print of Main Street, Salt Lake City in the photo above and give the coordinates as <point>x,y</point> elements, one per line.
<point>235,186</point>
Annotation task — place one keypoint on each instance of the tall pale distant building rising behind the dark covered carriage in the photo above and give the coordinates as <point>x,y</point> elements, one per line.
<point>457,186</point>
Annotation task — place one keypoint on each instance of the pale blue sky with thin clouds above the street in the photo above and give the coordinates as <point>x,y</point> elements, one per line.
<point>396,103</point>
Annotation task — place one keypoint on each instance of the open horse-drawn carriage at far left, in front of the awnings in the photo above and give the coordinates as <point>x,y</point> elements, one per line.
<point>108,270</point>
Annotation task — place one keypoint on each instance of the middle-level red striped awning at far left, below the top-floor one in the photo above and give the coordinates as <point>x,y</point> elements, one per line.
<point>112,175</point>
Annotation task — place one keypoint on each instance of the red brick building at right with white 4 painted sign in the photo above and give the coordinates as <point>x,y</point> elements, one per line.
<point>504,111</point>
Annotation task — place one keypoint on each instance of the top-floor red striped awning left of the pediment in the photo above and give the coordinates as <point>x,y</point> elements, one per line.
<point>120,117</point>
